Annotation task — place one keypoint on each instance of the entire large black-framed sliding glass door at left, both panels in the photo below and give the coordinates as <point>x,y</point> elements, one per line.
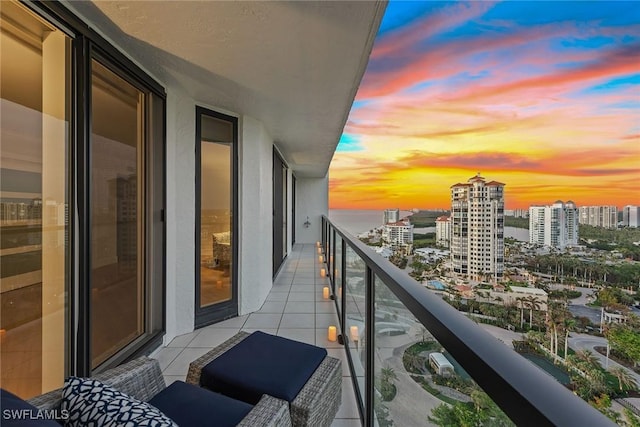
<point>82,198</point>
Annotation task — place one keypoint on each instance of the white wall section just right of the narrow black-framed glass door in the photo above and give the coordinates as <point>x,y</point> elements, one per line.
<point>256,216</point>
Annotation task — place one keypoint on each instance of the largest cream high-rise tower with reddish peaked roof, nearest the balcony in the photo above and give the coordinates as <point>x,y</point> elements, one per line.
<point>477,228</point>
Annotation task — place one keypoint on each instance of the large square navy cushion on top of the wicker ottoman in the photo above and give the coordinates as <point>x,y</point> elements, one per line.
<point>263,364</point>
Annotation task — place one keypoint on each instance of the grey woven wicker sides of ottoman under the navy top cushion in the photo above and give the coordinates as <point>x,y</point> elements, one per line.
<point>315,405</point>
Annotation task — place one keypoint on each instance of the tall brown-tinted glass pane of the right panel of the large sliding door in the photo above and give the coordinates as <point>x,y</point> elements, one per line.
<point>117,213</point>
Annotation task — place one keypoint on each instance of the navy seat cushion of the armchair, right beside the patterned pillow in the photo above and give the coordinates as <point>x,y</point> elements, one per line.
<point>189,405</point>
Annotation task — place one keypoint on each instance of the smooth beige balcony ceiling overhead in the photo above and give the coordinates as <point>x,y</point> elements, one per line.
<point>295,66</point>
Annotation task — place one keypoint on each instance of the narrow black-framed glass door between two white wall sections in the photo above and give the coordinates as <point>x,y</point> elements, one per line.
<point>216,289</point>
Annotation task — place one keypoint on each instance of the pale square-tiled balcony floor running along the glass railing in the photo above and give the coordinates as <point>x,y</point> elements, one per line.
<point>293,309</point>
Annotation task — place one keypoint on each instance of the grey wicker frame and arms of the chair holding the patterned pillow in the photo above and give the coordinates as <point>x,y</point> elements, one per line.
<point>142,379</point>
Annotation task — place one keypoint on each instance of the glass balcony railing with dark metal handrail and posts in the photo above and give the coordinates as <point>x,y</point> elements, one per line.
<point>415,360</point>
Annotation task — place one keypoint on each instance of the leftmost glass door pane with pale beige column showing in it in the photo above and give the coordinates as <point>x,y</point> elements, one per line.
<point>34,221</point>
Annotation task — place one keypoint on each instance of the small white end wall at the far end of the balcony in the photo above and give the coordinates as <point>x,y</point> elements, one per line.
<point>312,200</point>
